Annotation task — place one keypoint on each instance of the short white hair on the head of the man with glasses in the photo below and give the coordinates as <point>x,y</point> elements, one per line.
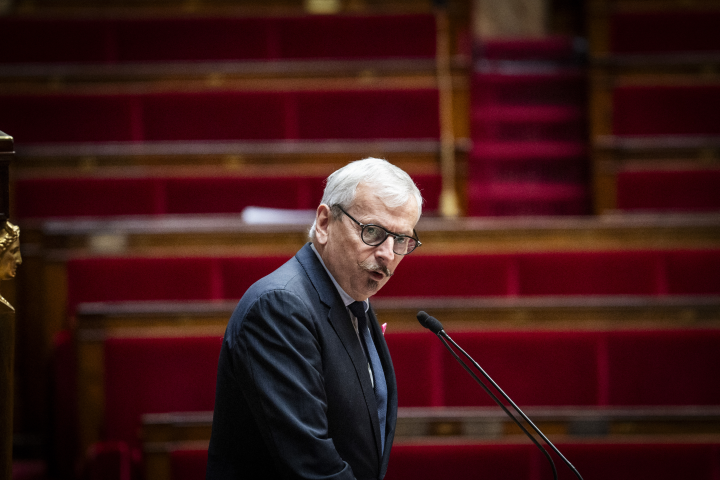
<point>391,184</point>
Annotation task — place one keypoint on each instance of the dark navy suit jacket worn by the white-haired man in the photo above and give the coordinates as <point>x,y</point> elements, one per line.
<point>294,398</point>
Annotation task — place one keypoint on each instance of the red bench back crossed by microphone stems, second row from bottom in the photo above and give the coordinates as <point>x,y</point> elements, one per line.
<point>565,368</point>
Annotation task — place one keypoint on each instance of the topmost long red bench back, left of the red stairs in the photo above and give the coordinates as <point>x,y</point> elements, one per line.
<point>137,40</point>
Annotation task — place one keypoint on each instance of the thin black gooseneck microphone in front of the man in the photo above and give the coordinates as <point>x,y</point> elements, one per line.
<point>434,325</point>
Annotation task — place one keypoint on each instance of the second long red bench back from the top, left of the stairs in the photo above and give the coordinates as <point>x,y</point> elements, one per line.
<point>215,116</point>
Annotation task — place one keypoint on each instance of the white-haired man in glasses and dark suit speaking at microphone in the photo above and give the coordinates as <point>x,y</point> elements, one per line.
<point>306,387</point>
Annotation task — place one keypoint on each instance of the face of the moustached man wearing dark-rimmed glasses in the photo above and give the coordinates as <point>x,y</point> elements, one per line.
<point>360,269</point>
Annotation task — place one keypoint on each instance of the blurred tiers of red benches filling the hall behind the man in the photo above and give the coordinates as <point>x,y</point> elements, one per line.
<point>169,153</point>
